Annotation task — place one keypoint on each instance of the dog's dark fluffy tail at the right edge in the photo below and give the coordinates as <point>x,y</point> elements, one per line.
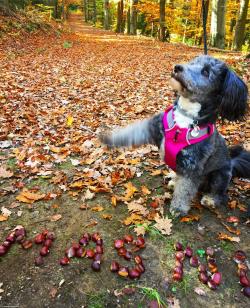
<point>240,162</point>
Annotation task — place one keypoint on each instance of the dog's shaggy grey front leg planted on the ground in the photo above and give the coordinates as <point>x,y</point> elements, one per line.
<point>185,190</point>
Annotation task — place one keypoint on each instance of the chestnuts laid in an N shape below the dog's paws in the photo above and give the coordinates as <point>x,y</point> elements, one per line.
<point>208,275</point>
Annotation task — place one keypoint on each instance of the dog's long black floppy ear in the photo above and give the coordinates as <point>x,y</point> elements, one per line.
<point>234,97</point>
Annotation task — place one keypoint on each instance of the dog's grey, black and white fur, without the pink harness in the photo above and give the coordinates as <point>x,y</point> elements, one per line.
<point>210,85</point>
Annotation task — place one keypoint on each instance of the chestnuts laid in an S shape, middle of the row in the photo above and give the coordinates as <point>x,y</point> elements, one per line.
<point>124,271</point>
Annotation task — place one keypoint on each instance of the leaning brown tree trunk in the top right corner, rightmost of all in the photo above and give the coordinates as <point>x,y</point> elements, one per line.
<point>239,34</point>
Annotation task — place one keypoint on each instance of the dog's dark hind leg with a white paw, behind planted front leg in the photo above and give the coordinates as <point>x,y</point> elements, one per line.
<point>218,184</point>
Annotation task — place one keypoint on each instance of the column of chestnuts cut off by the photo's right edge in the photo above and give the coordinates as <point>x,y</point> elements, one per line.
<point>240,258</point>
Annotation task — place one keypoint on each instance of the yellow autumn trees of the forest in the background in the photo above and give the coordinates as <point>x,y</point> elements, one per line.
<point>167,20</point>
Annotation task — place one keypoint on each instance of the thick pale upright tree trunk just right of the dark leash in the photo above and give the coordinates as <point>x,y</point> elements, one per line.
<point>218,23</point>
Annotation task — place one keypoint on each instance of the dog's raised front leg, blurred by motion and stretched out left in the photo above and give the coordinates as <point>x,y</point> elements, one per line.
<point>136,134</point>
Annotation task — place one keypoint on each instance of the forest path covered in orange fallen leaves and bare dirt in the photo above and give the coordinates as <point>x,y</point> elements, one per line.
<point>58,93</point>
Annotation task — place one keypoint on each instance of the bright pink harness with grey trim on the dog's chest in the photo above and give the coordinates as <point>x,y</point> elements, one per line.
<point>177,138</point>
